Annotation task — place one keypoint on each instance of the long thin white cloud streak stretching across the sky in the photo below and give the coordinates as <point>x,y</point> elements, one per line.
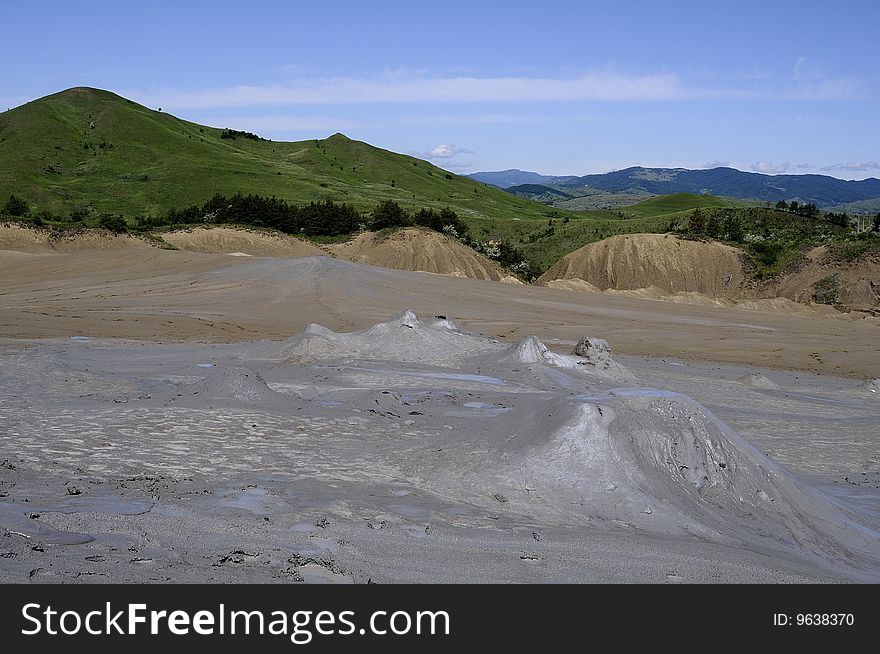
<point>408,87</point>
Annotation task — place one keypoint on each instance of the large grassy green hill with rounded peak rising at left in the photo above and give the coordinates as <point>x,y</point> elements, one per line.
<point>89,148</point>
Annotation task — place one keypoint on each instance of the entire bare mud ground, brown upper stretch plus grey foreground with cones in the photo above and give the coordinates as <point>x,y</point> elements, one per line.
<point>412,449</point>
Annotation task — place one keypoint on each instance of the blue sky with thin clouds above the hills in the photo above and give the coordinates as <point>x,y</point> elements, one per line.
<point>559,88</point>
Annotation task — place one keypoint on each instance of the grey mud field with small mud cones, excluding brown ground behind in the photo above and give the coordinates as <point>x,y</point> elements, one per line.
<point>415,451</point>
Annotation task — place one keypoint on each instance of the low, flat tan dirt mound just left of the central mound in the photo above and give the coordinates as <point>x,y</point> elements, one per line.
<point>239,242</point>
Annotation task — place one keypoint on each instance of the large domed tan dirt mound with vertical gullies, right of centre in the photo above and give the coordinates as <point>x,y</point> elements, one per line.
<point>638,261</point>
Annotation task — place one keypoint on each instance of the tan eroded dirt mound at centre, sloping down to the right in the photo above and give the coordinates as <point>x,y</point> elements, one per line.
<point>419,250</point>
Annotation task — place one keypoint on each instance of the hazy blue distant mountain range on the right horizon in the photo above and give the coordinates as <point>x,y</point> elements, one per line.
<point>821,190</point>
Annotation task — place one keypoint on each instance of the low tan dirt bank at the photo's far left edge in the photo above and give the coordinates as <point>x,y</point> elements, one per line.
<point>21,238</point>
